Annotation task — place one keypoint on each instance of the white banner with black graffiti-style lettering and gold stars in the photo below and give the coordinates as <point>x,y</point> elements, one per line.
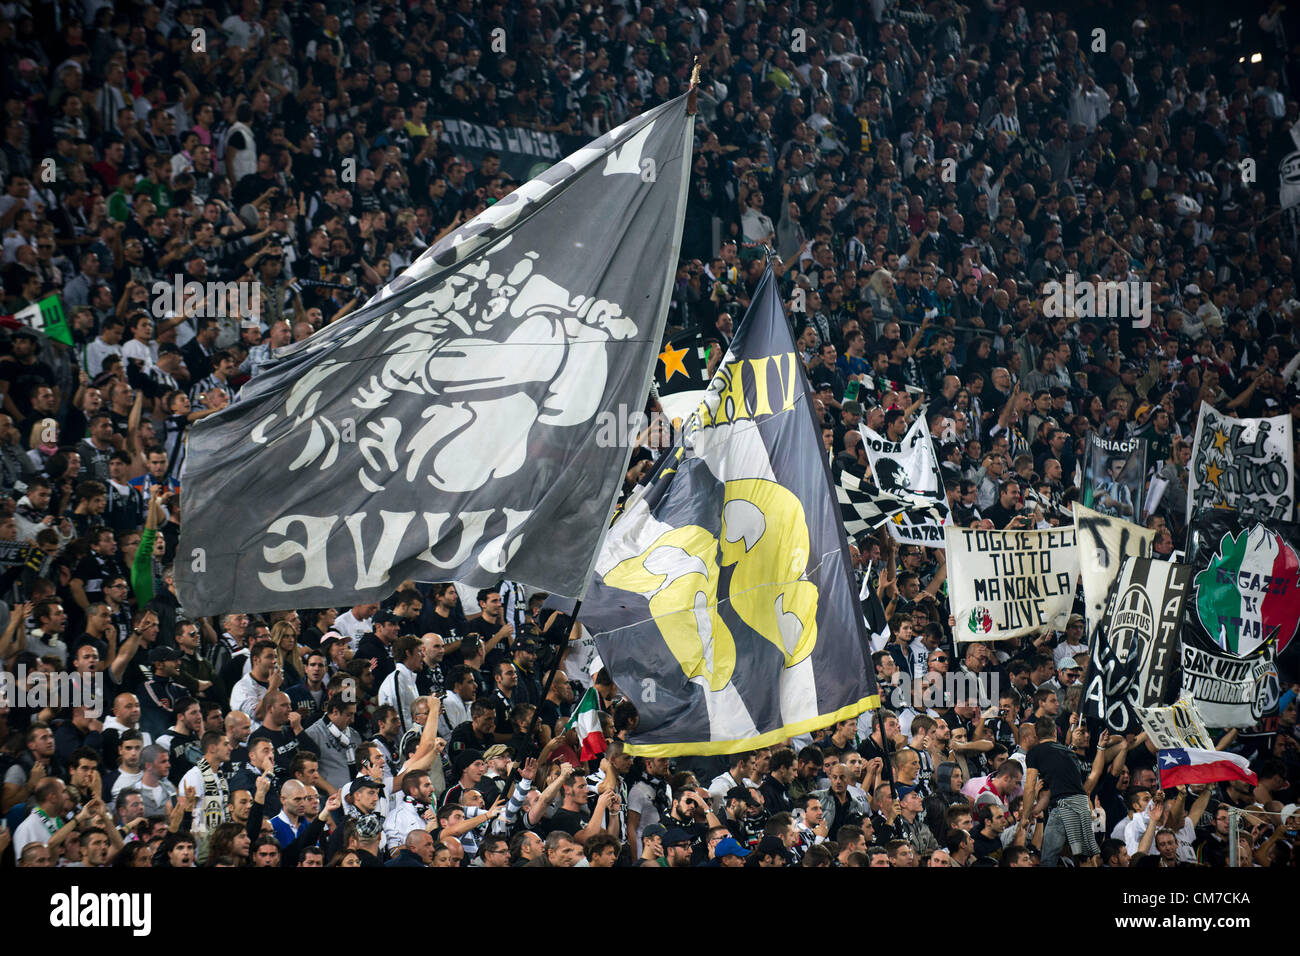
<point>1247,465</point>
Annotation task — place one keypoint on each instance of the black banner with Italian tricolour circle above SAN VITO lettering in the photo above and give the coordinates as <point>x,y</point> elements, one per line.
<point>1241,625</point>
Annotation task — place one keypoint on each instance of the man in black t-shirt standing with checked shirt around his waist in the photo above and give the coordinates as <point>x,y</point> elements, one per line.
<point>1054,767</point>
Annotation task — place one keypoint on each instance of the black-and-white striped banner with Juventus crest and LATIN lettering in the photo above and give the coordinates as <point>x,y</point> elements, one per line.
<point>1134,656</point>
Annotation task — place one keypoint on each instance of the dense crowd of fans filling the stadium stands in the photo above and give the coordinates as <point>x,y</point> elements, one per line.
<point>918,172</point>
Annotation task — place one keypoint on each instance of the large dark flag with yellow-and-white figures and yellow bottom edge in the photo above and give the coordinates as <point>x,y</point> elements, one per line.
<point>723,600</point>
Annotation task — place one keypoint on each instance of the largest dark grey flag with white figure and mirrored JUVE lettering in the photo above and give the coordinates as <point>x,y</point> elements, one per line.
<point>449,430</point>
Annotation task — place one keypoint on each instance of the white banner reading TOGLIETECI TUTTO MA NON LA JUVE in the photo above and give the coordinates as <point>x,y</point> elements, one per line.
<point>1011,583</point>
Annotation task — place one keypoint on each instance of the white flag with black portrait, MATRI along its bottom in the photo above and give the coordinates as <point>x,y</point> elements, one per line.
<point>909,470</point>
